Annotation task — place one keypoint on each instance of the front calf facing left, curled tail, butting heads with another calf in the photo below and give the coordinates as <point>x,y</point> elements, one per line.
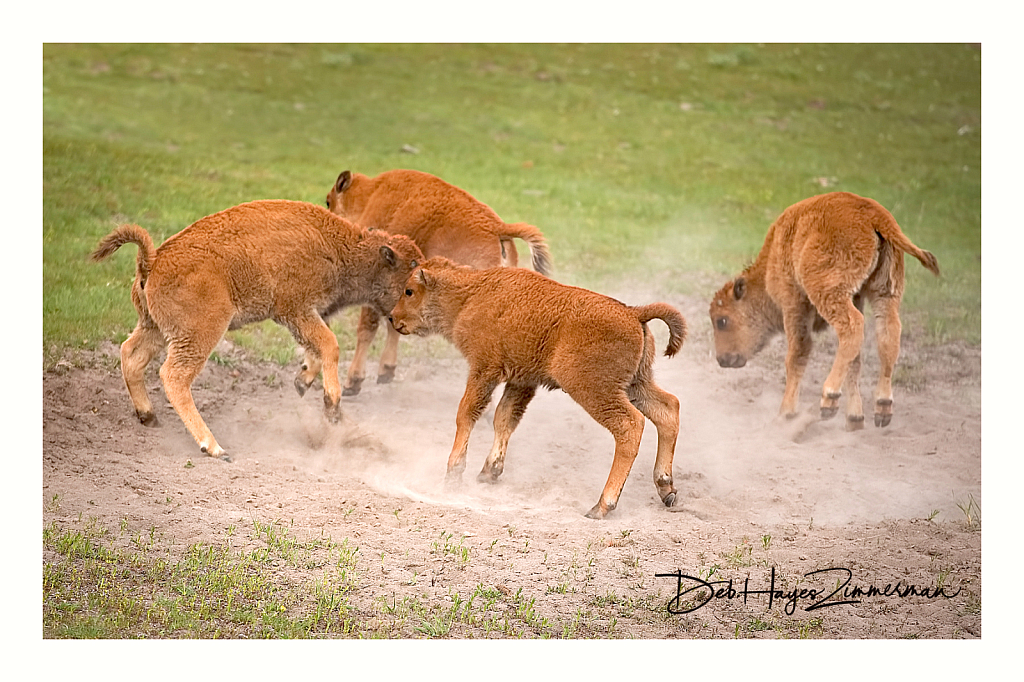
<point>518,327</point>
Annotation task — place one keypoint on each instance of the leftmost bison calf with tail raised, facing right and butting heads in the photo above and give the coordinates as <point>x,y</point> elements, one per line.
<point>288,262</point>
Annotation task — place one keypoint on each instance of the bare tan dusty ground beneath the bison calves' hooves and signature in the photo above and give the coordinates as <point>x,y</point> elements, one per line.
<point>756,496</point>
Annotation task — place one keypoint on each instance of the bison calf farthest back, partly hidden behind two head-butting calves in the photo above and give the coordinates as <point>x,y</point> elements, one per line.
<point>444,221</point>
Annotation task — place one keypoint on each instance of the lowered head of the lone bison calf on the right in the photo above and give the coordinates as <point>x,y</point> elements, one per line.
<point>740,329</point>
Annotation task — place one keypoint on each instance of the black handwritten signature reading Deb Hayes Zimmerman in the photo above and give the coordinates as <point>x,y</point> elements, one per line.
<point>702,592</point>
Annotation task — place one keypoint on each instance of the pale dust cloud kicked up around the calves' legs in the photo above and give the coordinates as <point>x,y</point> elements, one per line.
<point>734,457</point>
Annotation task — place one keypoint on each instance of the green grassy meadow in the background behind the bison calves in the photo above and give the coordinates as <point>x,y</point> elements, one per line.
<point>670,160</point>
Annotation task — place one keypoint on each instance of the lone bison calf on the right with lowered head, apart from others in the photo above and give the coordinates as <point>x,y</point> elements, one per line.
<point>822,259</point>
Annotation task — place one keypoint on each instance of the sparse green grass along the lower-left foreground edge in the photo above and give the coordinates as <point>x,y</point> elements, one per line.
<point>263,582</point>
